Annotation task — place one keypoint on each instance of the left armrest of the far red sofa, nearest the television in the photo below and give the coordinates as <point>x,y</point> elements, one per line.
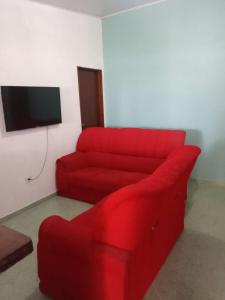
<point>72,161</point>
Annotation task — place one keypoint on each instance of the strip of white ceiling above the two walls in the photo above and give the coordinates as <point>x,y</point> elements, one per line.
<point>99,8</point>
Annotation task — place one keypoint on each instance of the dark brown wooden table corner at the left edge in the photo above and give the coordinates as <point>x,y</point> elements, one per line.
<point>14,246</point>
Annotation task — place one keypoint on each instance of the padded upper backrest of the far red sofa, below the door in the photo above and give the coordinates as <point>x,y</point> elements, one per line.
<point>153,143</point>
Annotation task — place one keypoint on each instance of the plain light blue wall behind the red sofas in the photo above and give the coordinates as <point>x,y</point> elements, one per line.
<point>165,68</point>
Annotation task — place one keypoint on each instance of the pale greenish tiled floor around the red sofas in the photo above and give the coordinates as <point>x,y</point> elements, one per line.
<point>195,269</point>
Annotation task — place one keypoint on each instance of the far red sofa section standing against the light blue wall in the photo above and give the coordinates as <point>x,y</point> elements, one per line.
<point>109,158</point>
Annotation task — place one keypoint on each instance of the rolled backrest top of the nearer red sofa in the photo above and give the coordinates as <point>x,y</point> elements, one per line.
<point>127,215</point>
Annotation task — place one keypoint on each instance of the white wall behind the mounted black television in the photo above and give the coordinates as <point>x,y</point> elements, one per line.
<point>41,45</point>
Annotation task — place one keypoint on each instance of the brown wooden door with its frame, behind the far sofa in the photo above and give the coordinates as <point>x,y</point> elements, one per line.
<point>91,97</point>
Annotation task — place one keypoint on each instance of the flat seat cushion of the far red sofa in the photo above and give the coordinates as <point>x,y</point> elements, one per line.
<point>106,180</point>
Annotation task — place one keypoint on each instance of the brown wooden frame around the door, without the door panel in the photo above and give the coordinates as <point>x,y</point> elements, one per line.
<point>100,101</point>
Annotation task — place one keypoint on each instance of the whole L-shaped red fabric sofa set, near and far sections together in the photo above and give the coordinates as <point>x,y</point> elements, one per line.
<point>114,250</point>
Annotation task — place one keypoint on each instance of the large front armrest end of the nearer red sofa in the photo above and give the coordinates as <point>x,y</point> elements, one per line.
<point>72,266</point>
